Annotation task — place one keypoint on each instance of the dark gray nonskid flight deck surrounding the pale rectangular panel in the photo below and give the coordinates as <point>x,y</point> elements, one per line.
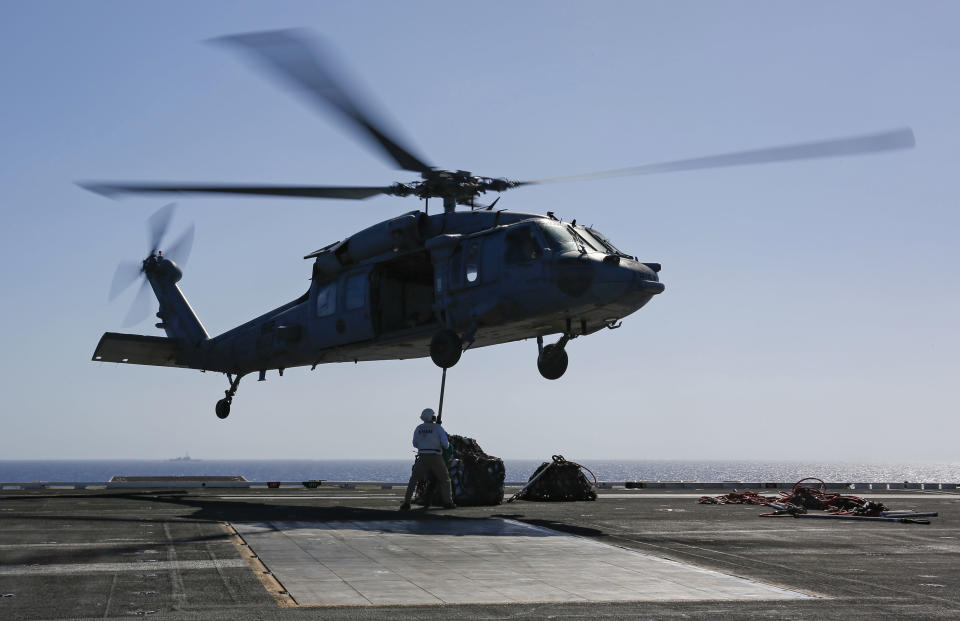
<point>147,552</point>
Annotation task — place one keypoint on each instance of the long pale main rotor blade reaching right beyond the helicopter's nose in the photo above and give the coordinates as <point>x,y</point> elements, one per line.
<point>856,145</point>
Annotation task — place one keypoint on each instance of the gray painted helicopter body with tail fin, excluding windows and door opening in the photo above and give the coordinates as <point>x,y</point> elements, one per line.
<point>575,292</point>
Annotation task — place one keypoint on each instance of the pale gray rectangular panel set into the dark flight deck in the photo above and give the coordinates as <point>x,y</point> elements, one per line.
<point>441,561</point>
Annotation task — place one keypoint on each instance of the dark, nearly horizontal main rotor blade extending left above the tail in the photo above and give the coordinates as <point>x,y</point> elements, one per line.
<point>348,192</point>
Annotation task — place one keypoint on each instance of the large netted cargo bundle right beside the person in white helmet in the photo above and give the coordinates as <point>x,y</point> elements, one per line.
<point>475,478</point>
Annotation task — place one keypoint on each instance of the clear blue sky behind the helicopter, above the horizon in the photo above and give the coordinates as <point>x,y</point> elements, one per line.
<point>811,308</point>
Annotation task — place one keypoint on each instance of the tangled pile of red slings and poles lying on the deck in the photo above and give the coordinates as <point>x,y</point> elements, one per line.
<point>801,499</point>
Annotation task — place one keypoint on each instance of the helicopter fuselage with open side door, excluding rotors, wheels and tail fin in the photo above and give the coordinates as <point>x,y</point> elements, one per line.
<point>495,277</point>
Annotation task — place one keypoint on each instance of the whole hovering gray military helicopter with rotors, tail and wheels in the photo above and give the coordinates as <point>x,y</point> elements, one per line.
<point>418,284</point>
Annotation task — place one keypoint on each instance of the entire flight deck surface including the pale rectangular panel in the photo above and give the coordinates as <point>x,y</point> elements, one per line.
<point>349,554</point>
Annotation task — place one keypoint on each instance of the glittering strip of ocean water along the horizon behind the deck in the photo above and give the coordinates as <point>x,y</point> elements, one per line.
<point>517,470</point>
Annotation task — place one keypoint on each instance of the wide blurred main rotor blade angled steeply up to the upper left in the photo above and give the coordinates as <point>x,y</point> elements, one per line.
<point>290,55</point>
